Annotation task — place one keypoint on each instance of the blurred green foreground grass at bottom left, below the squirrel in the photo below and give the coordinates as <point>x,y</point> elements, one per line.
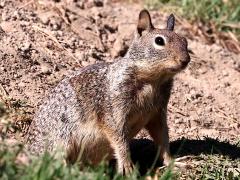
<point>47,167</point>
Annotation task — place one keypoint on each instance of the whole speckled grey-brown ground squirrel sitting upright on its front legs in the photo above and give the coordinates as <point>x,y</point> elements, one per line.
<point>101,107</point>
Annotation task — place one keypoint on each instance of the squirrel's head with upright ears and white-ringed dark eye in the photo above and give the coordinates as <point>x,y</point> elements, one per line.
<point>155,51</point>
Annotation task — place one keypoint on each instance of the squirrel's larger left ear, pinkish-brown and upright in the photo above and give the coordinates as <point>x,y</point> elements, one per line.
<point>144,22</point>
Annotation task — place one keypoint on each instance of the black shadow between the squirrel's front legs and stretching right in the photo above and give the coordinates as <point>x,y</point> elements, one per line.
<point>144,151</point>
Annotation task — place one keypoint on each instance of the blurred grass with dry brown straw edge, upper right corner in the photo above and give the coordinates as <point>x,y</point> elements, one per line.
<point>219,19</point>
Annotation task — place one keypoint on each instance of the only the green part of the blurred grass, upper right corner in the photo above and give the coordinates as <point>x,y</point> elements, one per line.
<point>224,14</point>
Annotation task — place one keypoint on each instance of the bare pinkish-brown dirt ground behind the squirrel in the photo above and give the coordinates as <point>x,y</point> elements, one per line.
<point>42,41</point>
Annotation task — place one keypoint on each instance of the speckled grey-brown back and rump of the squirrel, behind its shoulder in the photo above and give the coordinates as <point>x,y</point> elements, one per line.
<point>69,109</point>
